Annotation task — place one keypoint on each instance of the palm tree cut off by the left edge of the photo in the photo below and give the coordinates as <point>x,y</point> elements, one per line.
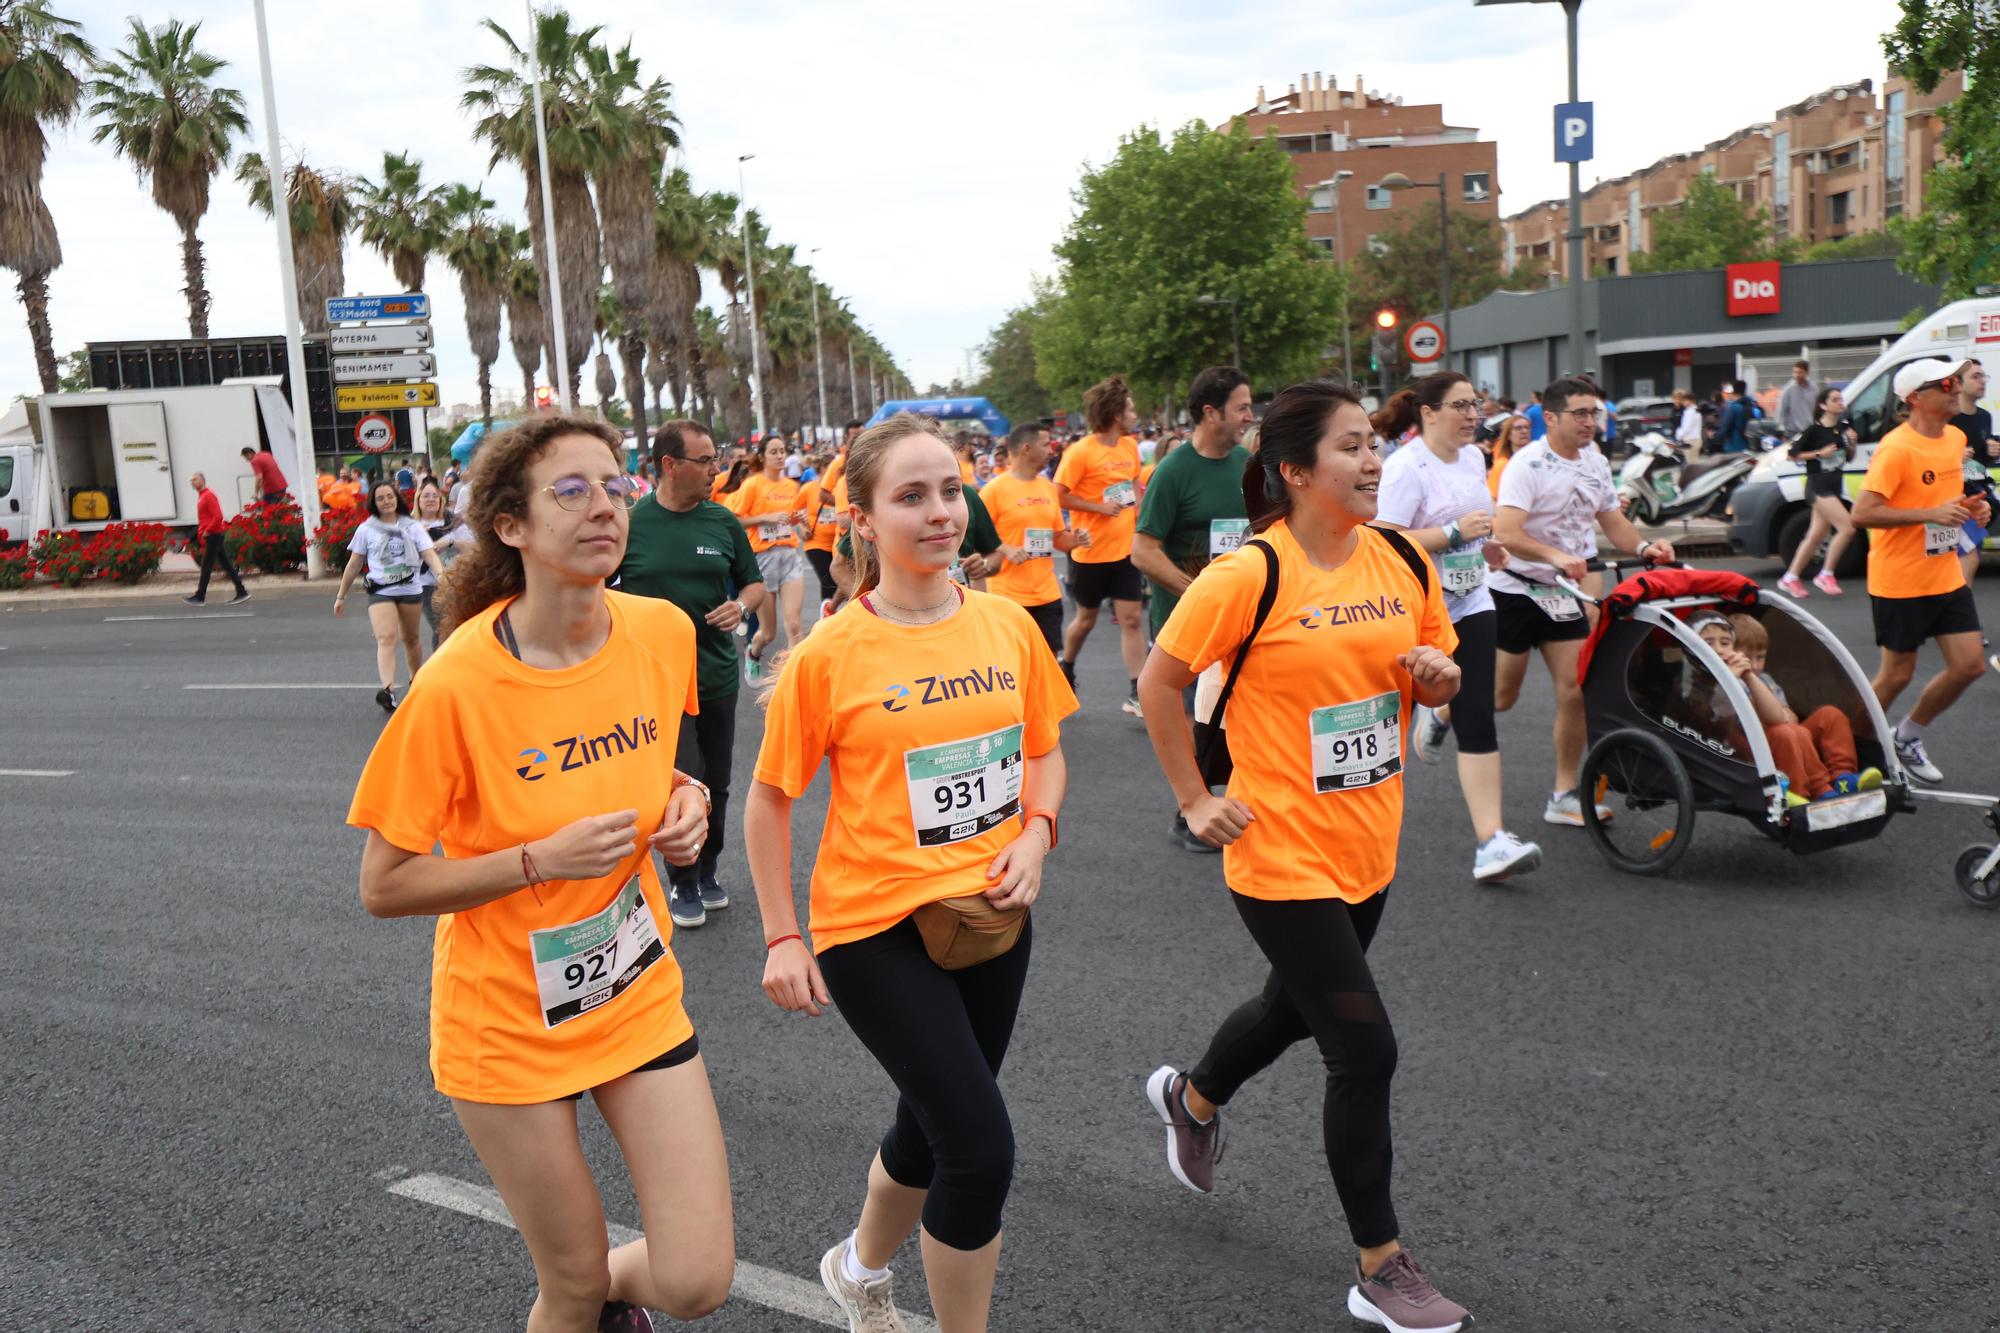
<point>41,85</point>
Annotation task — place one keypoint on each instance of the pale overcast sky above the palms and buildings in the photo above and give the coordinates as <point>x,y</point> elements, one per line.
<point>929,149</point>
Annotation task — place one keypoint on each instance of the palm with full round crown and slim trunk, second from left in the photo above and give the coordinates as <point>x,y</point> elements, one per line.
<point>159,105</point>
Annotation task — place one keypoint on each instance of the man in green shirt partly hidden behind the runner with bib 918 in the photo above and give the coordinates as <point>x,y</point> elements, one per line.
<point>1193,509</point>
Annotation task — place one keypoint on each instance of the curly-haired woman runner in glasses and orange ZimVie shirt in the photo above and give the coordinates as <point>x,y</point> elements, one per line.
<point>537,748</point>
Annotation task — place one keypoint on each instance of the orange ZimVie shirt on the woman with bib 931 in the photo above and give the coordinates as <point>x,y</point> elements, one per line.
<point>927,730</point>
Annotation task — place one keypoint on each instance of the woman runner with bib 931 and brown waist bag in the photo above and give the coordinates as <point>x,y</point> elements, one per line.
<point>939,712</point>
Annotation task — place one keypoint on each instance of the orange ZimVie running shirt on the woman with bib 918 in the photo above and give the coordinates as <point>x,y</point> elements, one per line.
<point>1319,714</point>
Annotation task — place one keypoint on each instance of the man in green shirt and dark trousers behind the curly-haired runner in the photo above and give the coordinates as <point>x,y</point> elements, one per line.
<point>697,555</point>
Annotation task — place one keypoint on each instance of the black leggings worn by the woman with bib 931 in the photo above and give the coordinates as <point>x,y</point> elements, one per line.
<point>941,1038</point>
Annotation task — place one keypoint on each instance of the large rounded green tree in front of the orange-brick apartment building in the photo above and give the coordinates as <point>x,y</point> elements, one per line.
<point>1165,223</point>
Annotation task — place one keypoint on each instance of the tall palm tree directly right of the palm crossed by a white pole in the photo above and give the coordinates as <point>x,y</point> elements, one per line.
<point>635,127</point>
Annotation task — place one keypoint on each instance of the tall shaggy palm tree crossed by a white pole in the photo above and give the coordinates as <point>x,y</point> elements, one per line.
<point>503,97</point>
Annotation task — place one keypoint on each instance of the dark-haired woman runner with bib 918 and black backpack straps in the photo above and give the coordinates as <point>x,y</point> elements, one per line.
<point>1327,665</point>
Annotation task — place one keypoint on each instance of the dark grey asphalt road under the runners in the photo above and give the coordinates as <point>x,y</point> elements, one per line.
<point>1755,1096</point>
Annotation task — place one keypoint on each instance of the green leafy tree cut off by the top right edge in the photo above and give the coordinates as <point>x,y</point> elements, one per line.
<point>1955,243</point>
